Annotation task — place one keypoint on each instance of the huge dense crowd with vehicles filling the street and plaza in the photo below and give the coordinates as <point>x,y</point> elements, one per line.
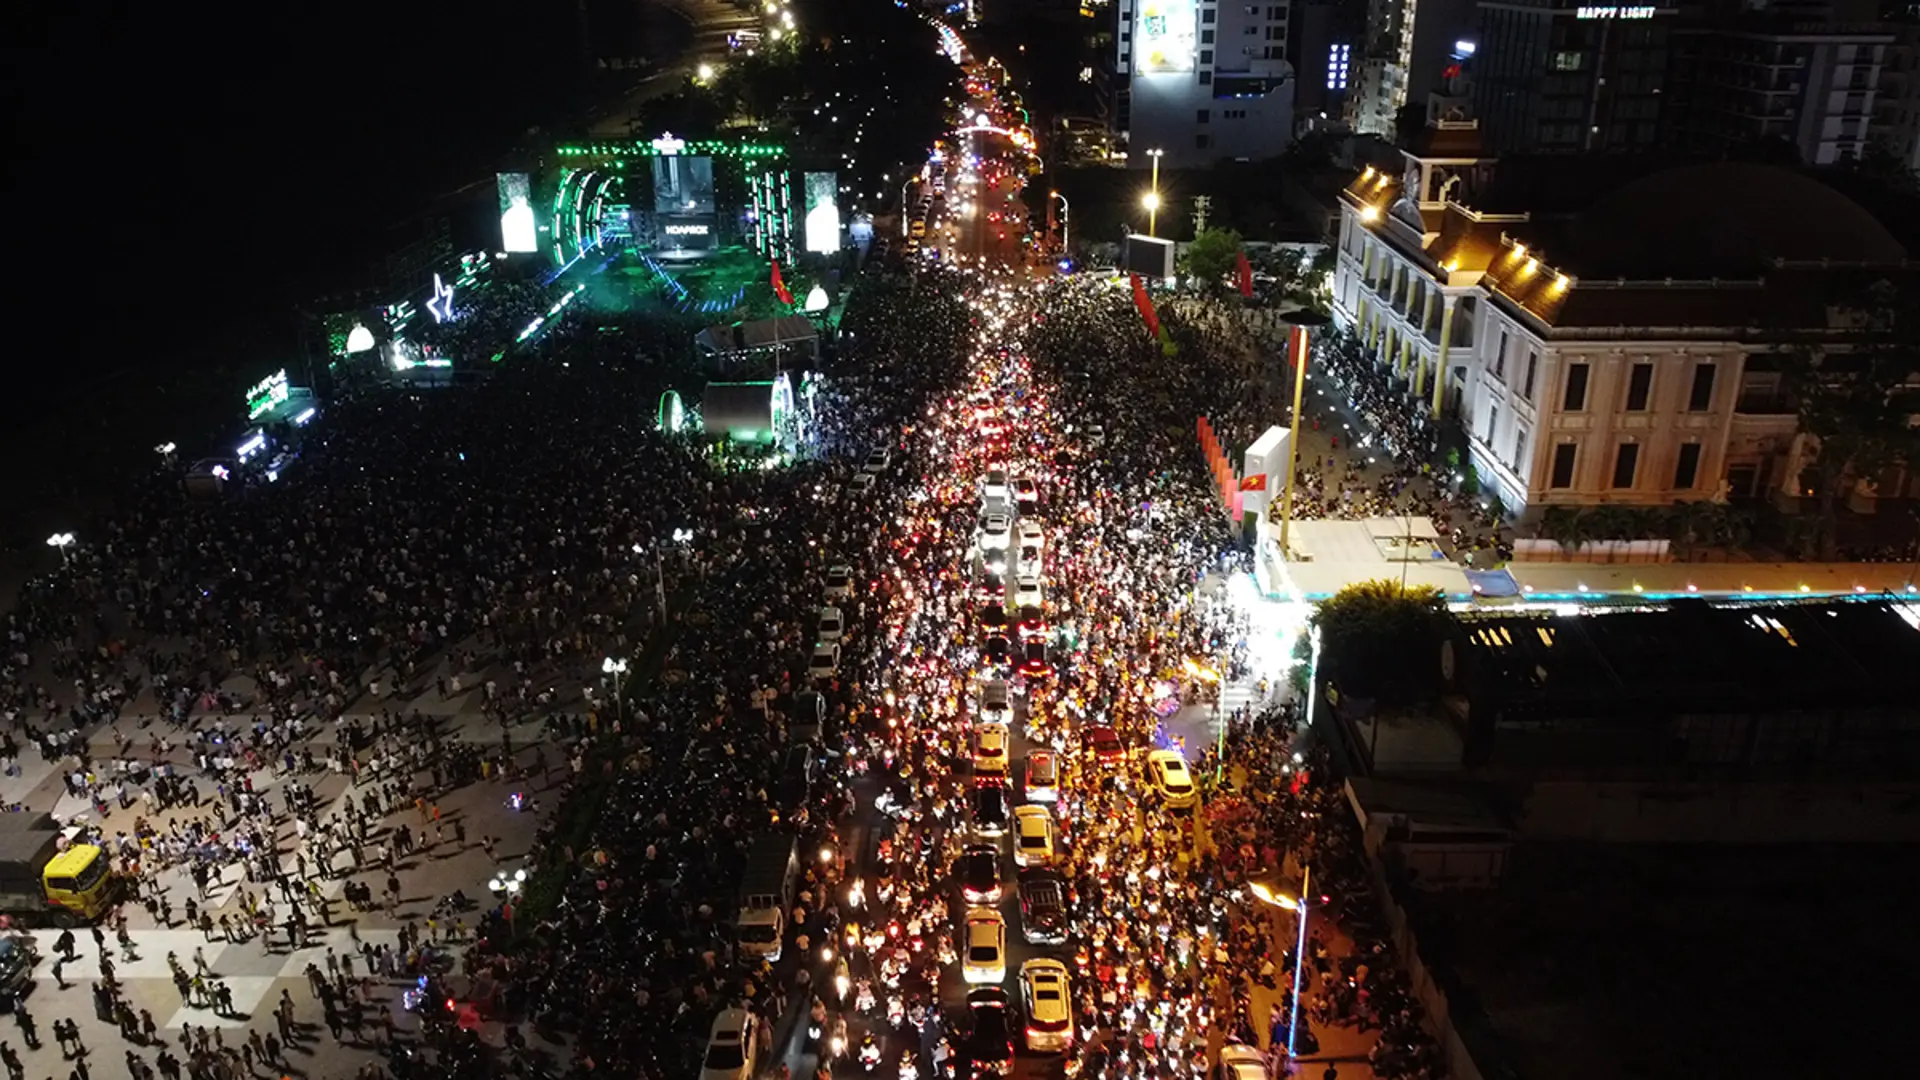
<point>512,735</point>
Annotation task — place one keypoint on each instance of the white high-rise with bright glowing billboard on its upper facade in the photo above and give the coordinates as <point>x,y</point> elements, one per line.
<point>1203,82</point>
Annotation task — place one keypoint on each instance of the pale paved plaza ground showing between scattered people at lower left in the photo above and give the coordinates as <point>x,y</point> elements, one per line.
<point>258,971</point>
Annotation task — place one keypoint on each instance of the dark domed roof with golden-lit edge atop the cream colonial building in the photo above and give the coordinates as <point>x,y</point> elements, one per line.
<point>1650,241</point>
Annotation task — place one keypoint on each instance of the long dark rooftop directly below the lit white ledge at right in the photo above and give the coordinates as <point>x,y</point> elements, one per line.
<point>1691,652</point>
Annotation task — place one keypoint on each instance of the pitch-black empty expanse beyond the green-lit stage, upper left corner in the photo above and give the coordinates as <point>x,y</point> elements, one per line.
<point>185,176</point>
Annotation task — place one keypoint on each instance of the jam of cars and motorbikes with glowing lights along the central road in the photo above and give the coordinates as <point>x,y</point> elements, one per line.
<point>1024,895</point>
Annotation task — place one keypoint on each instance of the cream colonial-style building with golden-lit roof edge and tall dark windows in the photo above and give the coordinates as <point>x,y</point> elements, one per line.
<point>1604,335</point>
